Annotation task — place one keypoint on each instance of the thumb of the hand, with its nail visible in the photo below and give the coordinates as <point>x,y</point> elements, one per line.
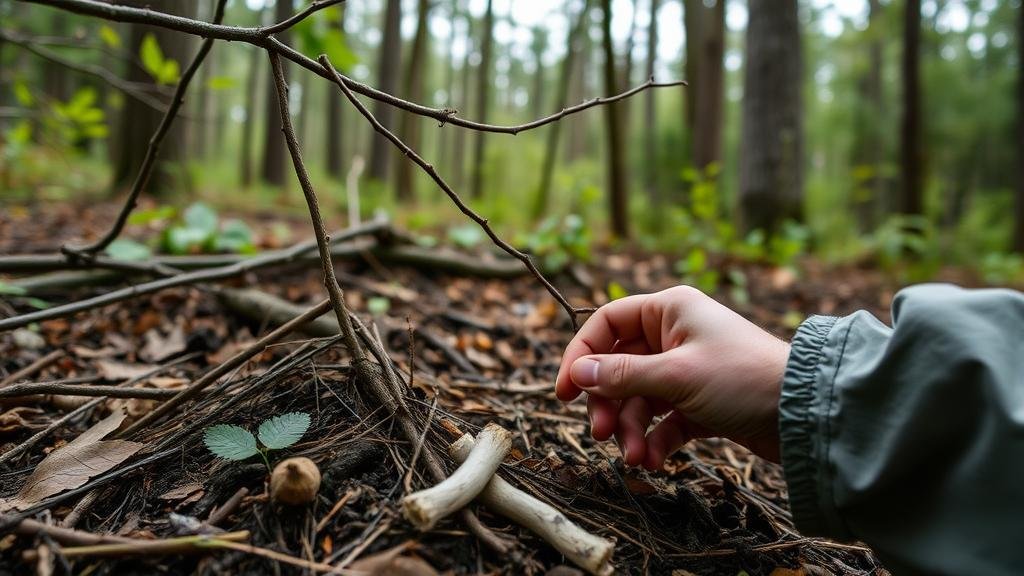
<point>624,376</point>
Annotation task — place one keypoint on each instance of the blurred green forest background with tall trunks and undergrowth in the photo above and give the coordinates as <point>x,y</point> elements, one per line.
<point>873,132</point>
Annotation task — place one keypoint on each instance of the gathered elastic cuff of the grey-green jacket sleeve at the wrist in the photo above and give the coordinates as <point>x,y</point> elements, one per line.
<point>802,407</point>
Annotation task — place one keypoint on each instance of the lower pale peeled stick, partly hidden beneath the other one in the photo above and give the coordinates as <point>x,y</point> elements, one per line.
<point>589,552</point>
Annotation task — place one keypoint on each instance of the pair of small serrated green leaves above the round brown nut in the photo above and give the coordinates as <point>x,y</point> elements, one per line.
<point>236,443</point>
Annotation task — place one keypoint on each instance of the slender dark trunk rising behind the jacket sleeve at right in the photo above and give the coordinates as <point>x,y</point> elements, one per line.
<point>911,157</point>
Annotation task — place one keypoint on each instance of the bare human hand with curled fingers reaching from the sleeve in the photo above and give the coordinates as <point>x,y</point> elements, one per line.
<point>679,353</point>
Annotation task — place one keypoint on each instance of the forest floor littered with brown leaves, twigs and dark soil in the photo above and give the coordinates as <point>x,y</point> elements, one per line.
<point>483,351</point>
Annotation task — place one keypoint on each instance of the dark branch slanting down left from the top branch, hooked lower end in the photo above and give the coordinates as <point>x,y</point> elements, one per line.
<point>143,179</point>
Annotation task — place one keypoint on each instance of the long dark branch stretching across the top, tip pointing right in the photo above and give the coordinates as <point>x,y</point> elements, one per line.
<point>260,37</point>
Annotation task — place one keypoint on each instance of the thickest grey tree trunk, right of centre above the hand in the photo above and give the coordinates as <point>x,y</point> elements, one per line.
<point>772,157</point>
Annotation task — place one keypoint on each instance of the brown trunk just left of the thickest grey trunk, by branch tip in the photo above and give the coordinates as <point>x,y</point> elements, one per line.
<point>710,88</point>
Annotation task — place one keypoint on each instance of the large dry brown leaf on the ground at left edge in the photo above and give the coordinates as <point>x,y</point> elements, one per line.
<point>72,466</point>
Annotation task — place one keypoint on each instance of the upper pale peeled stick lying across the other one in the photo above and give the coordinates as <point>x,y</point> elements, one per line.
<point>425,508</point>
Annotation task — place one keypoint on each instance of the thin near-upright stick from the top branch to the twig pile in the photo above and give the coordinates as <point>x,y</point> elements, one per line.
<point>323,241</point>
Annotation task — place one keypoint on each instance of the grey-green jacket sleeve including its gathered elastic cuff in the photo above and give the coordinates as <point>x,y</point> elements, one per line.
<point>912,439</point>
